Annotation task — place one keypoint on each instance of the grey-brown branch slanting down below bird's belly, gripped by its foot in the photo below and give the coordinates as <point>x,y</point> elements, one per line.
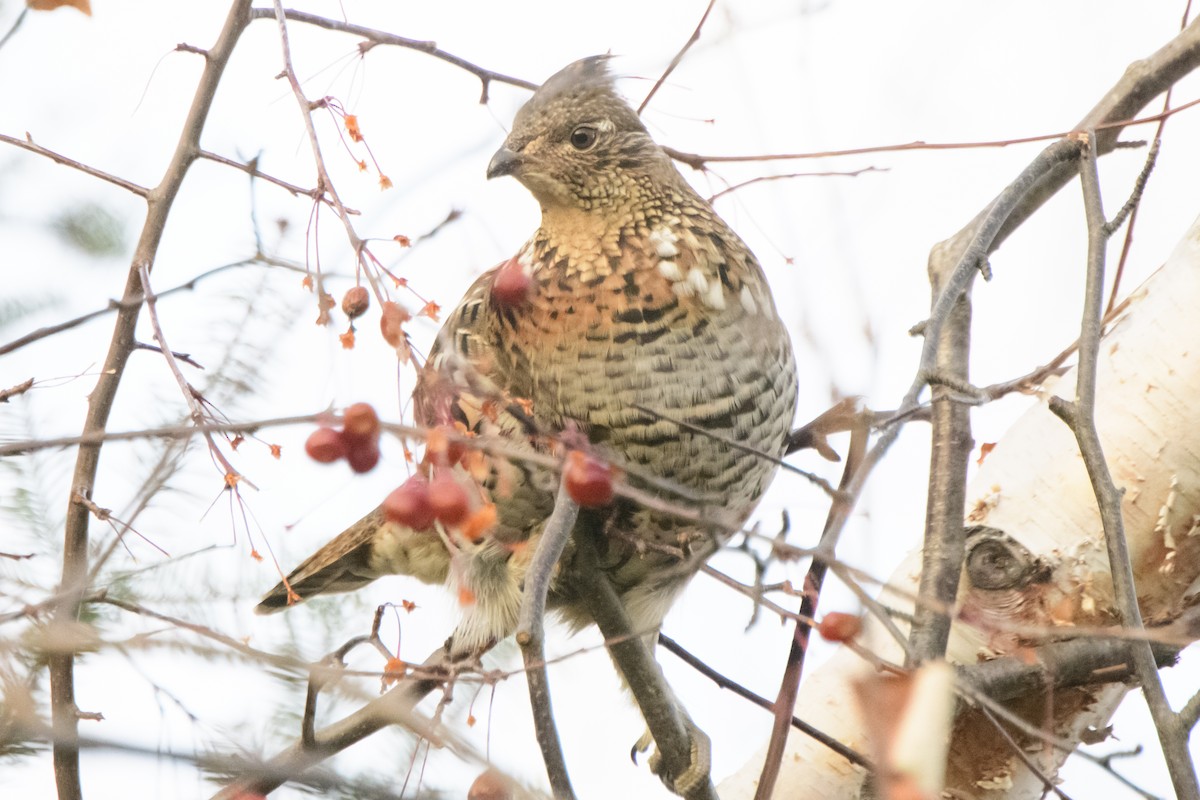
<point>683,749</point>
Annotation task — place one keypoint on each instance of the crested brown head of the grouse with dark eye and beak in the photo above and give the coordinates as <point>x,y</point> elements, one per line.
<point>578,145</point>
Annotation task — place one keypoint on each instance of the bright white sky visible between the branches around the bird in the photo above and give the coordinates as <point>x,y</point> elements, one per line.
<point>845,256</point>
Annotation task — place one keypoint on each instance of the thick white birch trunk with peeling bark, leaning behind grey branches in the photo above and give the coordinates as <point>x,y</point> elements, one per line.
<point>1035,489</point>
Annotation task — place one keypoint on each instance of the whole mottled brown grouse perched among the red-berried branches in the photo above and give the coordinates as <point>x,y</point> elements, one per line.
<point>643,297</point>
